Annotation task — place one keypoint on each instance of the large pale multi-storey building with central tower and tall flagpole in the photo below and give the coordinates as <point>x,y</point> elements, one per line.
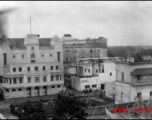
<point>31,66</point>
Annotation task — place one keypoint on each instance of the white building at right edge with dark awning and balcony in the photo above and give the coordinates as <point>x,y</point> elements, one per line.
<point>133,82</point>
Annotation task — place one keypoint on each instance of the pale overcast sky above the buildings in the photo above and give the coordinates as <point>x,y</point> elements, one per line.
<point>121,22</point>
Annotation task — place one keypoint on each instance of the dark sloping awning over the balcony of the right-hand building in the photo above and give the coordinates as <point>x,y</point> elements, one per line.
<point>142,71</point>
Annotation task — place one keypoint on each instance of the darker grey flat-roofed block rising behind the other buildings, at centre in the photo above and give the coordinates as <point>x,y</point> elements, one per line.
<point>87,48</point>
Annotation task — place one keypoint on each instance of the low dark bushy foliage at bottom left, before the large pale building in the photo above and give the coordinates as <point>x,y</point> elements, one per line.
<point>30,111</point>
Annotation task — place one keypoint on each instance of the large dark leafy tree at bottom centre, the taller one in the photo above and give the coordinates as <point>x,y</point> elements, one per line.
<point>67,106</point>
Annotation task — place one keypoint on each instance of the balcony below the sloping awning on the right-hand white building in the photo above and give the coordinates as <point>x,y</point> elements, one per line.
<point>140,82</point>
